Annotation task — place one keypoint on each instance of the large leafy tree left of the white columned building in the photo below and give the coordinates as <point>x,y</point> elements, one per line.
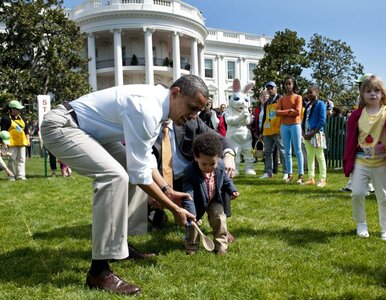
<point>40,52</point>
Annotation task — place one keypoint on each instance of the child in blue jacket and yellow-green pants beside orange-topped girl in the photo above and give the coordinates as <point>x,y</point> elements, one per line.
<point>314,138</point>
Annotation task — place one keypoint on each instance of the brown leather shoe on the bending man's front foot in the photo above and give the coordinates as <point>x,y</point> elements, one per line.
<point>110,282</point>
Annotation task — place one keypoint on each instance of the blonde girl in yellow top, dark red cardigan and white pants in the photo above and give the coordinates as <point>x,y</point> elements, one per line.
<point>365,152</point>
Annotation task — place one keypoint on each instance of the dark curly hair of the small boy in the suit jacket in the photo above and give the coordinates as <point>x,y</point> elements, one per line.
<point>207,143</point>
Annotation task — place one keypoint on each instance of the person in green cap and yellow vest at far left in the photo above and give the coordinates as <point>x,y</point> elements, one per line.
<point>19,139</point>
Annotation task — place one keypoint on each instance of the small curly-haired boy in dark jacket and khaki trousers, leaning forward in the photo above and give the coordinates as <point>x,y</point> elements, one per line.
<point>206,181</point>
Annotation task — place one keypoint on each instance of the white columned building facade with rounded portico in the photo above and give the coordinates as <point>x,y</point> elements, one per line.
<point>157,41</point>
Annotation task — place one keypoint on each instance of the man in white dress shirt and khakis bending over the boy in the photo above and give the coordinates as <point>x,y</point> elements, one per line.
<point>86,134</point>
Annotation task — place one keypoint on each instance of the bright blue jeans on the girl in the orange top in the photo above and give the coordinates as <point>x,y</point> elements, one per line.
<point>292,133</point>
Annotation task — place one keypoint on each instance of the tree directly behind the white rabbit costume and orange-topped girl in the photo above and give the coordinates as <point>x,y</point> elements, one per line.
<point>284,56</point>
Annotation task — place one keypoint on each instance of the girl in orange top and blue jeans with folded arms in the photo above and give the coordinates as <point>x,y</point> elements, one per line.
<point>290,108</point>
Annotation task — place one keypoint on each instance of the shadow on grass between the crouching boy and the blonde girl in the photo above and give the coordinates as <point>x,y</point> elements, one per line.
<point>293,237</point>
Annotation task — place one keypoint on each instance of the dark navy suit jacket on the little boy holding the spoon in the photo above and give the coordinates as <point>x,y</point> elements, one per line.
<point>194,184</point>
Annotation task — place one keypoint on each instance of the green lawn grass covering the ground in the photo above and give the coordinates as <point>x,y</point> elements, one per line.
<point>292,242</point>
